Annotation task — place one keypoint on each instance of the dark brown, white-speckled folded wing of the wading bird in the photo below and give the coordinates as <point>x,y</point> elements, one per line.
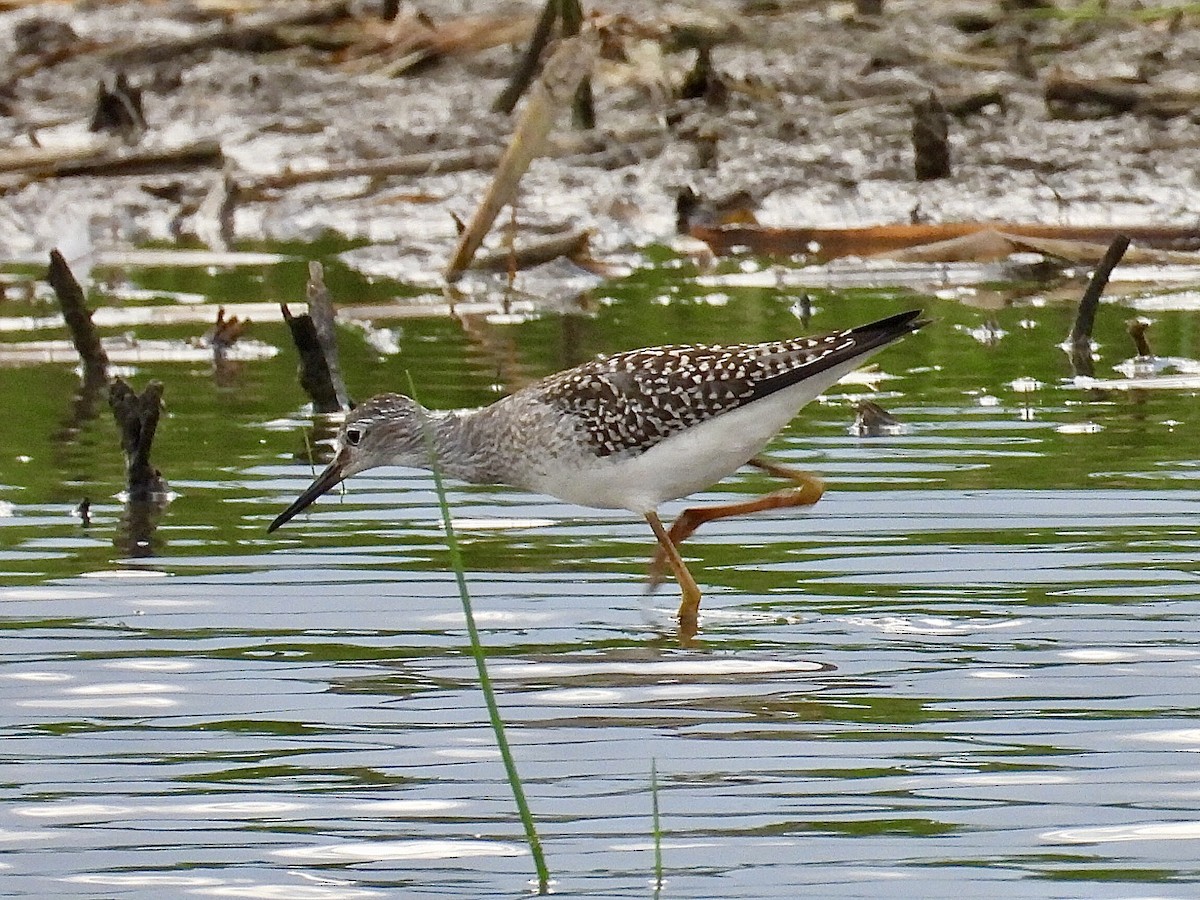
<point>632,401</point>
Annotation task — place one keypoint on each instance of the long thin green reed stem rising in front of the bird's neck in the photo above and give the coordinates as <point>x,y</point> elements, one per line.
<point>481,657</point>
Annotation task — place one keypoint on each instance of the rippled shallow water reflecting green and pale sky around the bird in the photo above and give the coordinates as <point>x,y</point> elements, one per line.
<point>970,670</point>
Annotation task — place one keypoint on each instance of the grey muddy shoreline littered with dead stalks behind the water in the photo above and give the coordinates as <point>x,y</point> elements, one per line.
<point>809,117</point>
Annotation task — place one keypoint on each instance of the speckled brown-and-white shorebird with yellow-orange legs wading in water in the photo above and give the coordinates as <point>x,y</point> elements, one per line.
<point>629,431</point>
